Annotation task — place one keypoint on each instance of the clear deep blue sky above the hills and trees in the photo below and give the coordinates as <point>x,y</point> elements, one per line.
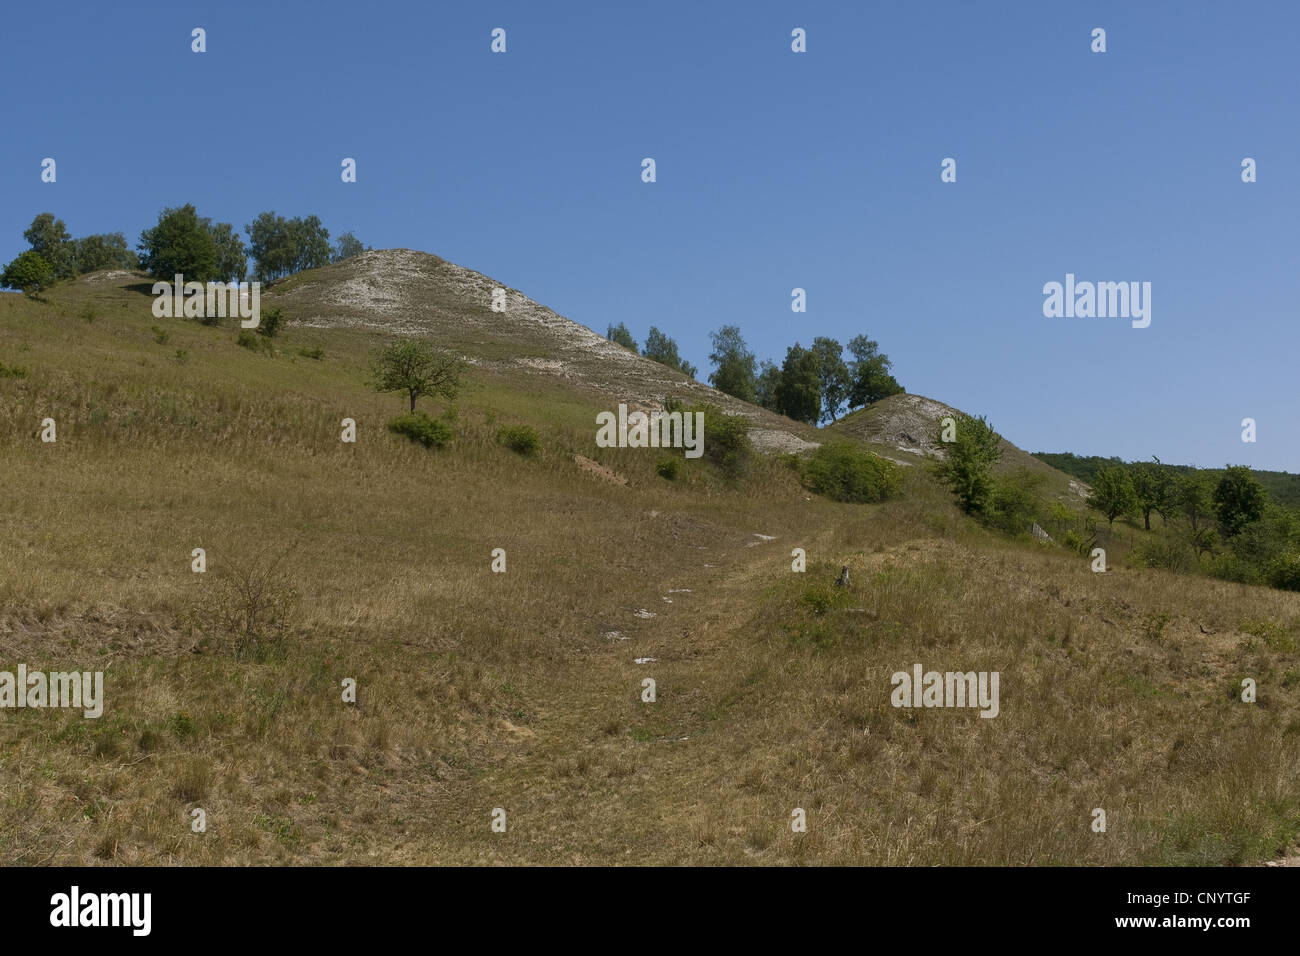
<point>774,171</point>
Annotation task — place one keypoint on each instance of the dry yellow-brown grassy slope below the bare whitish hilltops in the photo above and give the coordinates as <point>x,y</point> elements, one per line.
<point>480,691</point>
